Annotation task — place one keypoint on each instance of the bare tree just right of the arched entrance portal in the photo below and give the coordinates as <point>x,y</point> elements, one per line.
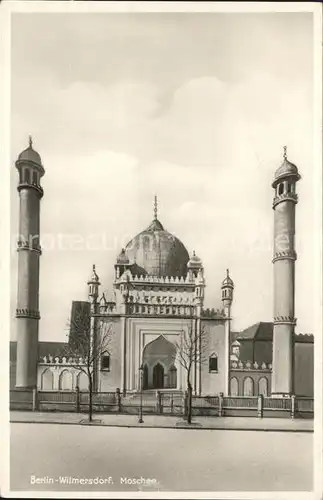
<point>191,350</point>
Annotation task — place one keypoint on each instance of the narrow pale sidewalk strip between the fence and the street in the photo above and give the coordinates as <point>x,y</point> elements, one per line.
<point>168,422</point>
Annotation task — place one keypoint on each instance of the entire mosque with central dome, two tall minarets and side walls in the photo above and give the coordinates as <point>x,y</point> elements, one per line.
<point>157,303</point>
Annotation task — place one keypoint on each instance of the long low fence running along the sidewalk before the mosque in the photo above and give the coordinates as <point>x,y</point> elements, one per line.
<point>162,402</point>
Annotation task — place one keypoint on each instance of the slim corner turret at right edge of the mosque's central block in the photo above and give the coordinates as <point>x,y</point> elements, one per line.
<point>227,298</point>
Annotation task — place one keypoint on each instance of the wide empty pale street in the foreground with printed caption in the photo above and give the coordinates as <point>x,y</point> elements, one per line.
<point>57,457</point>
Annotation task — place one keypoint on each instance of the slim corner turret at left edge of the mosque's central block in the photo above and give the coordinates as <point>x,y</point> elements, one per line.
<point>93,295</point>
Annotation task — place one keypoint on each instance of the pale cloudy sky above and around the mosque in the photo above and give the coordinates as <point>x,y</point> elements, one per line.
<point>195,108</point>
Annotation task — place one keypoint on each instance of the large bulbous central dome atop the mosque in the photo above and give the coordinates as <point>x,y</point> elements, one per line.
<point>158,252</point>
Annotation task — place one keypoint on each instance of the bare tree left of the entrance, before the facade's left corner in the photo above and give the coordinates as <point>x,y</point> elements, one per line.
<point>86,349</point>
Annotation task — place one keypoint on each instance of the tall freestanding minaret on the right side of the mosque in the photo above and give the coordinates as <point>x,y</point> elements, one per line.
<point>284,203</point>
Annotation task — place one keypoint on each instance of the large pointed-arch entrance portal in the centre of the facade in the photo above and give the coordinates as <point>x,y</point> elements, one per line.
<point>158,362</point>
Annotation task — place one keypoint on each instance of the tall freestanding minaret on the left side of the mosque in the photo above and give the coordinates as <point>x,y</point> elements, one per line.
<point>30,170</point>
